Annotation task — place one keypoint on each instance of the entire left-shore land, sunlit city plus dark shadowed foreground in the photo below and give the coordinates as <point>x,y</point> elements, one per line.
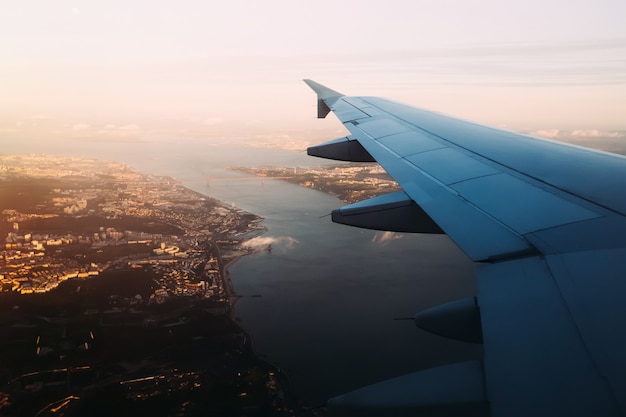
<point>116,297</point>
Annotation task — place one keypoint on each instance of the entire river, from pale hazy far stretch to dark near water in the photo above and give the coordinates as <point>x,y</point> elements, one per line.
<point>329,293</point>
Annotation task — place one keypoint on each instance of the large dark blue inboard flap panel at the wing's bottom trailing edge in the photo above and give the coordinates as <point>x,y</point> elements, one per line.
<point>536,361</point>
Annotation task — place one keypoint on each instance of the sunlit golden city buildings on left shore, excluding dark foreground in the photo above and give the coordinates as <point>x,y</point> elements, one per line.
<point>41,251</point>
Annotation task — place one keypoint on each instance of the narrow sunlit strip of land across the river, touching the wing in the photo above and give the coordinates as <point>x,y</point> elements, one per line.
<point>349,182</point>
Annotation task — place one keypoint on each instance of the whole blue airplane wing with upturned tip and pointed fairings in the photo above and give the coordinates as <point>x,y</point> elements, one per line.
<point>545,223</point>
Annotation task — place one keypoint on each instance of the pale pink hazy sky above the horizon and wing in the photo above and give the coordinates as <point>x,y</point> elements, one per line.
<point>136,70</point>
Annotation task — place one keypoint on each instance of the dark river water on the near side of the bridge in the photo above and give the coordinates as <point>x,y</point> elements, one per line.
<point>330,293</point>
